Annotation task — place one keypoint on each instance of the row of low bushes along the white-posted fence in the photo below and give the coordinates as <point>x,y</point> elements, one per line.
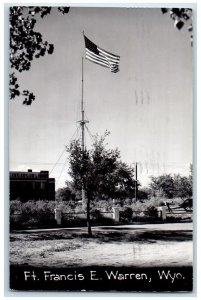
<point>40,214</point>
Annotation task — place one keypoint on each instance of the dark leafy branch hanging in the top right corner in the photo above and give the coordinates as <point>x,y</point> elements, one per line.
<point>181,17</point>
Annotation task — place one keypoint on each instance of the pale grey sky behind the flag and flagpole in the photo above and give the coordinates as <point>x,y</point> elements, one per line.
<point>147,106</point>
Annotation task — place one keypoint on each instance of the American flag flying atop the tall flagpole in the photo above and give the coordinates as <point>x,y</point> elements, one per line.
<point>101,57</point>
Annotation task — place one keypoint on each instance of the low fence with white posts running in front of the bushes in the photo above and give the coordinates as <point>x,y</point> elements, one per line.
<point>57,217</point>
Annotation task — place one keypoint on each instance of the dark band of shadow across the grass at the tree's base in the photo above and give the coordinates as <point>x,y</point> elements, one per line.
<point>116,236</point>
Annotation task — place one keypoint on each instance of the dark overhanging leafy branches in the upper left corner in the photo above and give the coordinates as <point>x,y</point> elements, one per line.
<point>26,44</point>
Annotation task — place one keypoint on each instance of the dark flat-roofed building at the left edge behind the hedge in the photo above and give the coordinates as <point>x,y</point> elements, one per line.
<point>31,186</point>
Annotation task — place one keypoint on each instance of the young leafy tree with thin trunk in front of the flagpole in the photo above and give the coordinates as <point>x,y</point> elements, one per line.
<point>100,172</point>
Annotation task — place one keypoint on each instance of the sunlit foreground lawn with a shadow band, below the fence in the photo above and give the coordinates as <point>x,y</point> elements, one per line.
<point>143,245</point>
